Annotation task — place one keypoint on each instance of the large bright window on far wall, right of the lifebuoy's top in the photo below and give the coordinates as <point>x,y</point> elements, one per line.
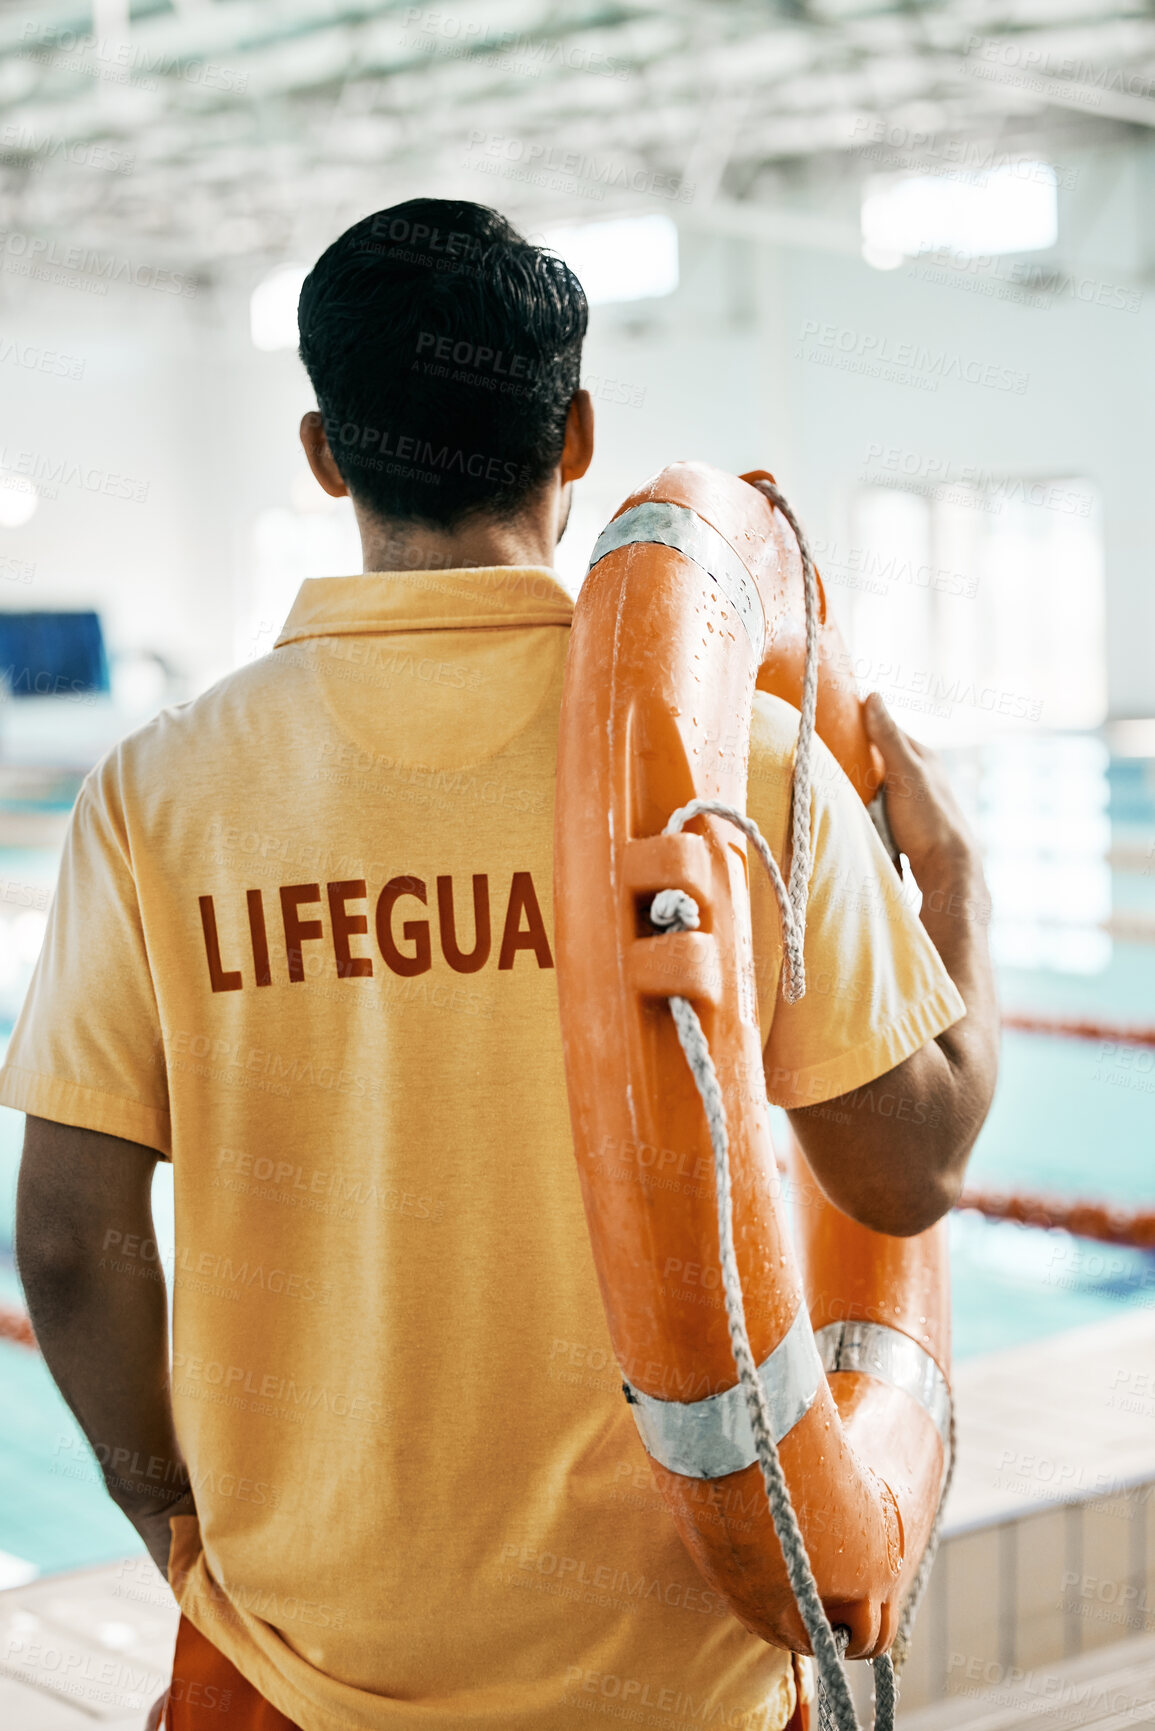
<point>978,610</point>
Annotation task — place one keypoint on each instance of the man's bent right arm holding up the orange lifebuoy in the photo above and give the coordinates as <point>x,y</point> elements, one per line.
<point>893,1155</point>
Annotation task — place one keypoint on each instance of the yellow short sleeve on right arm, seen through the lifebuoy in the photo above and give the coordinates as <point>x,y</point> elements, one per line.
<point>877,989</point>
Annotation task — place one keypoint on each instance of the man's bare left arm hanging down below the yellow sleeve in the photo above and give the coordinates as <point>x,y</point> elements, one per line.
<point>96,1294</point>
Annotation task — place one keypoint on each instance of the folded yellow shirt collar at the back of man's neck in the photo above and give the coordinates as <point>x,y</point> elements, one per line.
<point>427,602</point>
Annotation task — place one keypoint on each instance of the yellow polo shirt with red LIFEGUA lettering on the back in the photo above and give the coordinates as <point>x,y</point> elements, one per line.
<point>304,946</point>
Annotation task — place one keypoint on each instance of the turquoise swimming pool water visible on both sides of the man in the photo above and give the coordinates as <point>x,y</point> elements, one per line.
<point>1071,1119</point>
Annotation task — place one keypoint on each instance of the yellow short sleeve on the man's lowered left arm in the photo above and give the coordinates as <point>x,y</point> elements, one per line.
<point>87,1046</point>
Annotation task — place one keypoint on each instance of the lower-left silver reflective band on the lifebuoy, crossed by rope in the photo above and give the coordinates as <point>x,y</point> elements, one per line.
<point>707,1439</point>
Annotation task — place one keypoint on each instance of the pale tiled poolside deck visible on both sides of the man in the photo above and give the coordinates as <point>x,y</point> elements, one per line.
<point>1038,1607</point>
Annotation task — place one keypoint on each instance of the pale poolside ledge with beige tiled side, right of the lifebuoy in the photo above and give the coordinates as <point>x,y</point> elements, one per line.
<point>1050,1531</point>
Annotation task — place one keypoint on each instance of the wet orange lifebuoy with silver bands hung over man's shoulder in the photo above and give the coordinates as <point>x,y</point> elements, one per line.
<point>694,600</point>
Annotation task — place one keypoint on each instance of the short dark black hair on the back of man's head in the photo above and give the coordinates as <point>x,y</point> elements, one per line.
<point>446,352</point>
